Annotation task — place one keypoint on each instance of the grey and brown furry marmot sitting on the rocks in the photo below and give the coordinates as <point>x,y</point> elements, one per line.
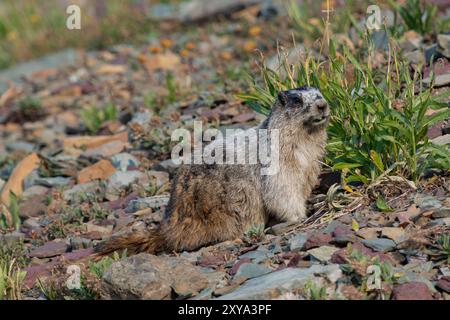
<point>214,203</point>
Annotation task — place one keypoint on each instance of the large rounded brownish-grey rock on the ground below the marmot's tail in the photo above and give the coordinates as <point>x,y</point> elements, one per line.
<point>146,276</point>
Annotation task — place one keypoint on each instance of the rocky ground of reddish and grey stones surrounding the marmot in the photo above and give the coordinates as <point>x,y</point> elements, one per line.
<point>82,176</point>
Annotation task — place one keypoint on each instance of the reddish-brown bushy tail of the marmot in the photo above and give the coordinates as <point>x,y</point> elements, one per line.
<point>150,241</point>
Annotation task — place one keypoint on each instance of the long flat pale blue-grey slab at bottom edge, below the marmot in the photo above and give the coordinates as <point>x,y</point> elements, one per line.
<point>272,285</point>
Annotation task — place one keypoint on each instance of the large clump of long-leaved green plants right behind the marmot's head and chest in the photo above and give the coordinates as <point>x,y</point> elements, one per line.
<point>368,135</point>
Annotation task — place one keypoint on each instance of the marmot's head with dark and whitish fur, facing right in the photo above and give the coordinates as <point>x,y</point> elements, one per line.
<point>303,107</point>
